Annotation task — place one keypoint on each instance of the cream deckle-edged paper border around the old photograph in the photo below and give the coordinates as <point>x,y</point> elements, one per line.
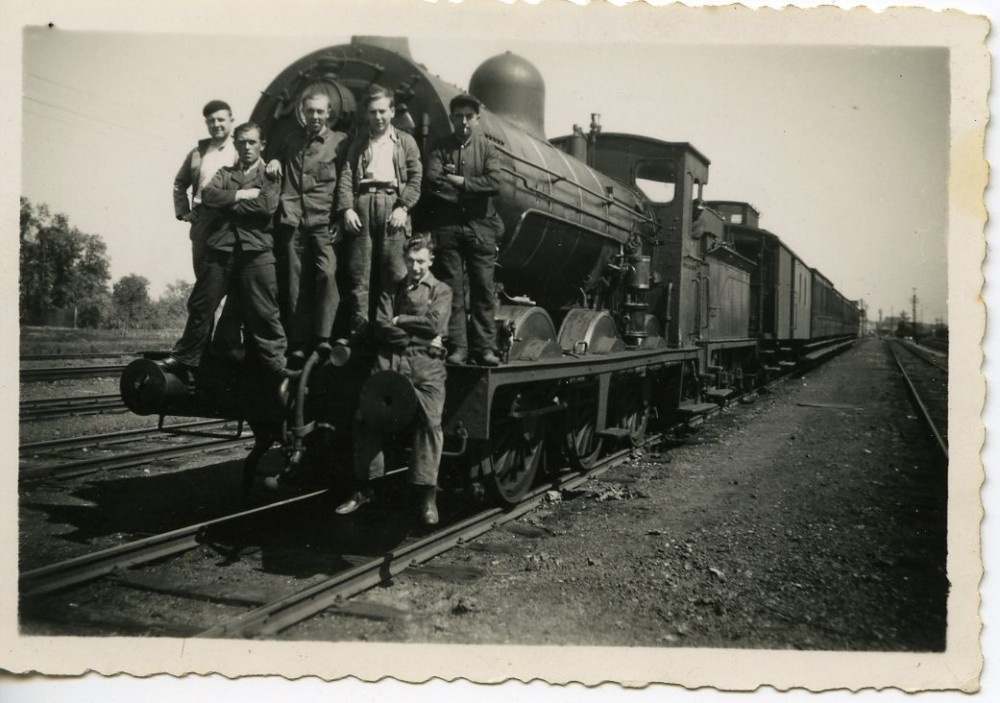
<point>558,25</point>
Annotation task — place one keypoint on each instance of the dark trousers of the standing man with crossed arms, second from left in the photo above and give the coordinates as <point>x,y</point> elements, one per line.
<point>251,275</point>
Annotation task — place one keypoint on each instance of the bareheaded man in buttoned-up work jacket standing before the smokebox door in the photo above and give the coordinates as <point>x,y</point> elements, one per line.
<point>308,164</point>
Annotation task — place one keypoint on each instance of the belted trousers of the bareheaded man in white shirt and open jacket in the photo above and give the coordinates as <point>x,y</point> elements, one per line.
<point>374,255</point>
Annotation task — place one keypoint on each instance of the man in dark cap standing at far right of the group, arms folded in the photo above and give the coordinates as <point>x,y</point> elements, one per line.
<point>463,173</point>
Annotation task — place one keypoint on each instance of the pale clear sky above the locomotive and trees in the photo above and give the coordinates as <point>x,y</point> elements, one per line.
<point>842,147</point>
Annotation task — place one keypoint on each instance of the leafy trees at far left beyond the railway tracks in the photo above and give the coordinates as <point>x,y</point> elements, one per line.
<point>65,274</point>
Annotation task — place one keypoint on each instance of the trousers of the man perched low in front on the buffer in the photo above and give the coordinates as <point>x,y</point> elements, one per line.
<point>427,375</point>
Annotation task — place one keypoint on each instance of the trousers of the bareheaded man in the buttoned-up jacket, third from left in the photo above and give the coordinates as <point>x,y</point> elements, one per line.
<point>309,287</point>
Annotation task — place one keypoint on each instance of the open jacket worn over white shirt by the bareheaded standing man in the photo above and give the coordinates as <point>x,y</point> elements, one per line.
<point>405,162</point>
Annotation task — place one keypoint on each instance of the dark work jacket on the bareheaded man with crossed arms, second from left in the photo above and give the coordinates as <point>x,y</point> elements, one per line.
<point>248,220</point>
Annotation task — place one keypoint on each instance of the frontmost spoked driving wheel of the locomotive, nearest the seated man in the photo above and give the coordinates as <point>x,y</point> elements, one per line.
<point>514,455</point>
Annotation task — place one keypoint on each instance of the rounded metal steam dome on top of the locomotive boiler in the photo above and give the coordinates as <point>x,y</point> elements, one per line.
<point>510,86</point>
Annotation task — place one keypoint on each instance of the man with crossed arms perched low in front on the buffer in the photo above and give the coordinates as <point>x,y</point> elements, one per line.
<point>409,325</point>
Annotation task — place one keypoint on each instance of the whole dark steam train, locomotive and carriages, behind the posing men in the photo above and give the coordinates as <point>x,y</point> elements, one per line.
<point>624,298</point>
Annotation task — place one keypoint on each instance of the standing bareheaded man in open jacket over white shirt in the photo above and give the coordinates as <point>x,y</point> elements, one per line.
<point>379,185</point>
